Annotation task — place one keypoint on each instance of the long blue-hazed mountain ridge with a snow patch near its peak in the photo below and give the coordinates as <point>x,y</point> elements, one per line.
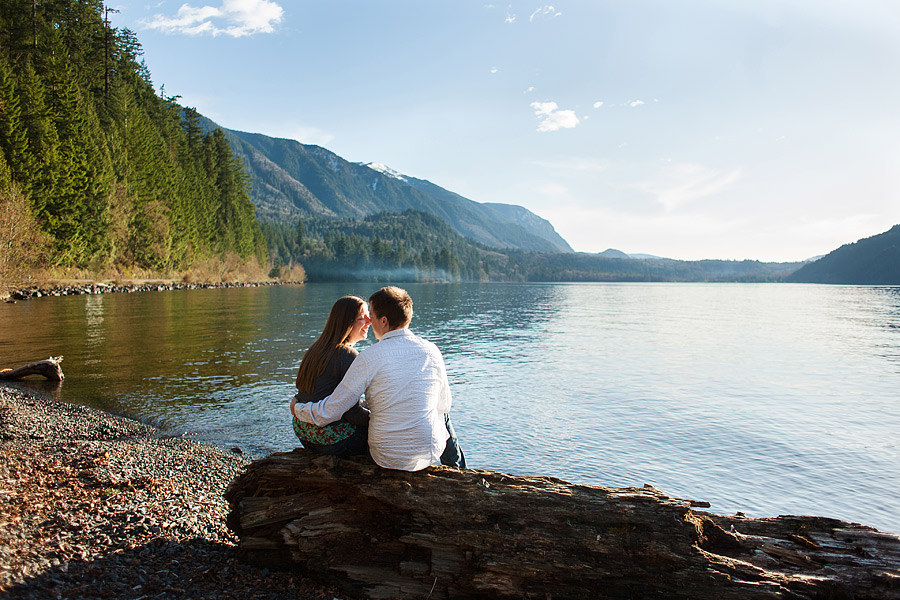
<point>291,180</point>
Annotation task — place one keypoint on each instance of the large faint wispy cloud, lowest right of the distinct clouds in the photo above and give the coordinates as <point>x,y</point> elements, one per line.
<point>679,184</point>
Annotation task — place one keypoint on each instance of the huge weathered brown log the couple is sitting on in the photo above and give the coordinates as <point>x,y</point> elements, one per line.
<point>450,533</point>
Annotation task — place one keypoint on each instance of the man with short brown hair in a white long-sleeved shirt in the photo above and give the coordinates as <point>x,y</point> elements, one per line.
<point>406,388</point>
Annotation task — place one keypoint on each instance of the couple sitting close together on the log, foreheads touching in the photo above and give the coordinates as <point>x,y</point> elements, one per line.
<point>403,421</point>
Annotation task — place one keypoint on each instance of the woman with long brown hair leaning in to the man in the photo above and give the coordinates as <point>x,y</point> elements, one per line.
<point>322,369</point>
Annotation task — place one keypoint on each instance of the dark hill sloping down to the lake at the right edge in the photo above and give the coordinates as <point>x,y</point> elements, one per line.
<point>870,261</point>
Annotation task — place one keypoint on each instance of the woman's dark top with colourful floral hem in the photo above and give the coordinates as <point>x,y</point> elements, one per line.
<point>323,386</point>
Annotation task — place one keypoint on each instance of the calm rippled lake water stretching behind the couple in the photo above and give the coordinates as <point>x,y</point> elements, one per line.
<point>769,399</point>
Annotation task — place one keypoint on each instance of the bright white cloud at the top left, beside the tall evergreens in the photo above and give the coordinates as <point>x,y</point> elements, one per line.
<point>236,18</point>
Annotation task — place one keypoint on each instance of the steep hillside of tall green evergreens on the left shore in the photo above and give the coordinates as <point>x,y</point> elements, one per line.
<point>107,168</point>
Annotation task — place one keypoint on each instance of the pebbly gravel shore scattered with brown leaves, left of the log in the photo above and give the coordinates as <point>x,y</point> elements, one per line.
<point>94,505</point>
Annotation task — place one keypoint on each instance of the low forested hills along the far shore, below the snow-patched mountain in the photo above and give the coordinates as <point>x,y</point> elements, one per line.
<point>417,246</point>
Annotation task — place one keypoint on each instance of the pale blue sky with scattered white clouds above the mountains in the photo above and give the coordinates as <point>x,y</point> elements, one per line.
<point>730,129</point>
